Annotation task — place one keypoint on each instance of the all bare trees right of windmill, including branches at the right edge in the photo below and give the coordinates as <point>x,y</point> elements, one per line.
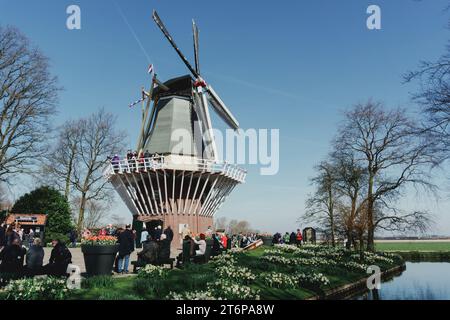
<point>377,154</point>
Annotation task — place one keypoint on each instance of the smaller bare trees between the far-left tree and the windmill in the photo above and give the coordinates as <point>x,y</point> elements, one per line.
<point>81,152</point>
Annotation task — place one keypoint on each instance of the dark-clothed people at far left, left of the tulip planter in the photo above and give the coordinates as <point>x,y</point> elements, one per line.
<point>22,254</point>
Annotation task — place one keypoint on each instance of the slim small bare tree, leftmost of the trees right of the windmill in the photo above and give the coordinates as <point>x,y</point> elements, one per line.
<point>320,205</point>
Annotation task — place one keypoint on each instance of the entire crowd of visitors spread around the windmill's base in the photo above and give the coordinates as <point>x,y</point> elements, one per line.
<point>22,253</point>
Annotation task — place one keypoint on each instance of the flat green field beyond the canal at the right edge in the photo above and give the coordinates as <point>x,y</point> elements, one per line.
<point>413,246</point>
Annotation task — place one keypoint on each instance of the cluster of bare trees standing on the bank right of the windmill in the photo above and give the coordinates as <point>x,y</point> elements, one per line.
<point>376,155</point>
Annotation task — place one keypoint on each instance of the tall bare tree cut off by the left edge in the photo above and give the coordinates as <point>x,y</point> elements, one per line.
<point>28,96</point>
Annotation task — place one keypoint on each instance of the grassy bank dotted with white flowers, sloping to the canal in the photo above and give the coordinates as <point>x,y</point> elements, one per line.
<point>284,272</point>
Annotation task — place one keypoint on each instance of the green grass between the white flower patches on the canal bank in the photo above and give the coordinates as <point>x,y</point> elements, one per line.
<point>196,278</point>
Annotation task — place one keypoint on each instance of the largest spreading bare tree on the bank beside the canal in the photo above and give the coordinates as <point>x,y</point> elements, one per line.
<point>386,143</point>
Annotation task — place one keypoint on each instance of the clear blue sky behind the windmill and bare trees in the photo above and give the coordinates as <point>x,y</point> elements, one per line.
<point>292,65</point>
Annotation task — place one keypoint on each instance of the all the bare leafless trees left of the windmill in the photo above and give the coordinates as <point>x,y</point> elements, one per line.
<point>72,161</point>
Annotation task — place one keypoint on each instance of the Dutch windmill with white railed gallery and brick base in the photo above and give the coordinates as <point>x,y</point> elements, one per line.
<point>181,187</point>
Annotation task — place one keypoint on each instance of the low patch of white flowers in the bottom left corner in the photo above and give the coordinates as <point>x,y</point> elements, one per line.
<point>36,289</point>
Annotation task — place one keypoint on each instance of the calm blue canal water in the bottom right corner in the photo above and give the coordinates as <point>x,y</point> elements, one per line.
<point>420,281</point>
